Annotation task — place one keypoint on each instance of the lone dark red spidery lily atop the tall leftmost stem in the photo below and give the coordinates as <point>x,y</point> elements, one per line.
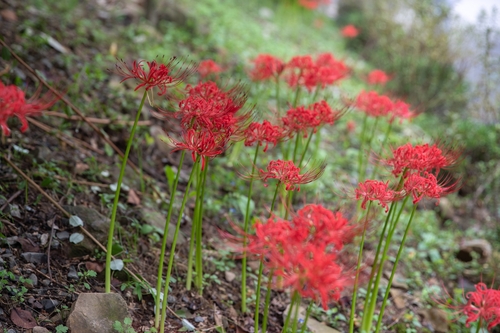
<point>157,75</point>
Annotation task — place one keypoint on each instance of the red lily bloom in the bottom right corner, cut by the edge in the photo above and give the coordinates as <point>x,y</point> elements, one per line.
<point>483,304</point>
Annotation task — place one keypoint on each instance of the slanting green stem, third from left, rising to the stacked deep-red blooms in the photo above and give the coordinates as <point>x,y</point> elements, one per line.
<point>172,249</point>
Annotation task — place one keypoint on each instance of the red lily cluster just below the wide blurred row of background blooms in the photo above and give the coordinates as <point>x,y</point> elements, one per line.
<point>302,120</point>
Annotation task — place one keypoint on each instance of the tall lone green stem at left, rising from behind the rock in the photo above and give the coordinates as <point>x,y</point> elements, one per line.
<point>109,247</point>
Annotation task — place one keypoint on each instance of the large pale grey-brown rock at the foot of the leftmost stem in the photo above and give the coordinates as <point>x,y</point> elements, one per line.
<point>96,313</point>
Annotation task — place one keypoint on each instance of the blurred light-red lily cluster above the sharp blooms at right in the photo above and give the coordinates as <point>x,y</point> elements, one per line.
<point>377,105</point>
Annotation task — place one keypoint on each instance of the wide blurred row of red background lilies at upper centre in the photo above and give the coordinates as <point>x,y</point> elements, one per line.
<point>301,71</point>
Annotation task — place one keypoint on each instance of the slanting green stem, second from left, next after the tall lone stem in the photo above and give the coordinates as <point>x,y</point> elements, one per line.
<point>164,240</point>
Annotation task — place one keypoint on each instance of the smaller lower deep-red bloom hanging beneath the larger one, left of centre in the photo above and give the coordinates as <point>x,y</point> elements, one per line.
<point>203,143</point>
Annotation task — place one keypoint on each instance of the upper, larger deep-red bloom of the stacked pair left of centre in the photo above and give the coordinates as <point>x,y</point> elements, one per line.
<point>209,107</point>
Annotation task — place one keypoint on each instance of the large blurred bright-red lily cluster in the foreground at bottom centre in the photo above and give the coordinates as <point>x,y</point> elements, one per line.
<point>304,252</point>
